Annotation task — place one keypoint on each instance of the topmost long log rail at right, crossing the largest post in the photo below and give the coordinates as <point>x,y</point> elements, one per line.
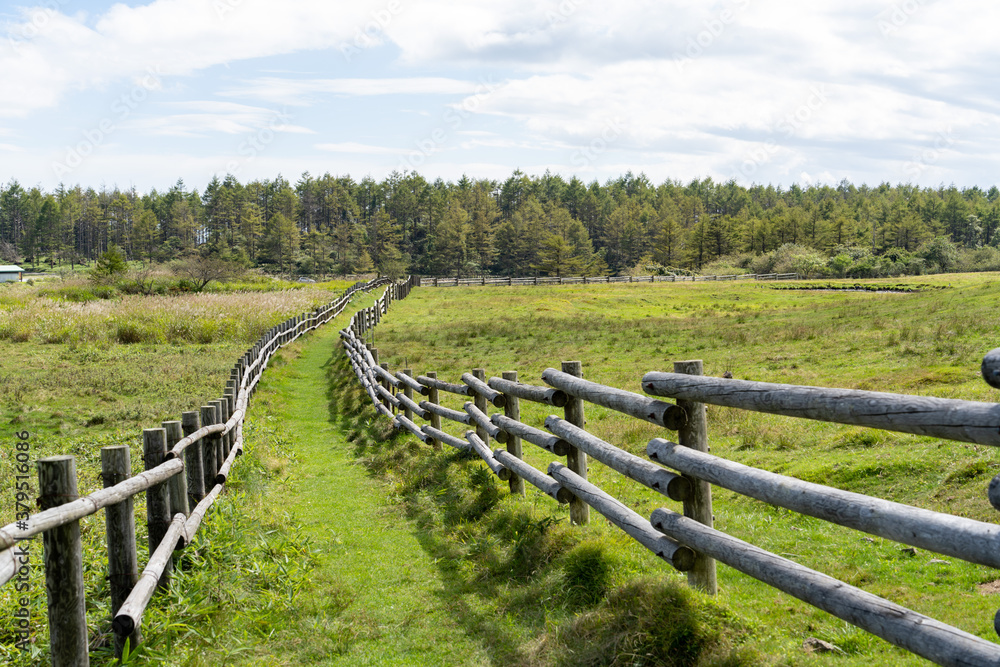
<point>952,419</point>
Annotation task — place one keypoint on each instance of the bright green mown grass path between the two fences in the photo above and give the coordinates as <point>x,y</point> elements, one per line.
<point>397,614</point>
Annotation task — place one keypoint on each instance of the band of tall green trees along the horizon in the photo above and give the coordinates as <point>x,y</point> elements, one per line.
<point>523,225</point>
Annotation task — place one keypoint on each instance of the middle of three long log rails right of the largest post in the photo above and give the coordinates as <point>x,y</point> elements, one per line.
<point>972,541</point>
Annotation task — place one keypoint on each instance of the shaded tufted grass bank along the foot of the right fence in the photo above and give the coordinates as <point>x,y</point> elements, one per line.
<point>501,559</point>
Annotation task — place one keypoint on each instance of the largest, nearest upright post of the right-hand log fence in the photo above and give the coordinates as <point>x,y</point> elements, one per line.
<point>699,507</point>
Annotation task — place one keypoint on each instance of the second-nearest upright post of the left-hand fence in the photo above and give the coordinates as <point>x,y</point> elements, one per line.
<point>119,524</point>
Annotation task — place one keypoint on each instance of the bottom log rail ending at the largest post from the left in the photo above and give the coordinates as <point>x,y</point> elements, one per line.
<point>678,555</point>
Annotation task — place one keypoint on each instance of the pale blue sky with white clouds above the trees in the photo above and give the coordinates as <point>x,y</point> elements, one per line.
<point>768,91</point>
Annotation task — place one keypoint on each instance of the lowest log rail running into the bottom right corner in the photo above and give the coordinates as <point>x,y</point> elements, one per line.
<point>898,625</point>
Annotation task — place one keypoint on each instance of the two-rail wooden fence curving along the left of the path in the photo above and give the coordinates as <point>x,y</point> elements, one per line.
<point>187,463</point>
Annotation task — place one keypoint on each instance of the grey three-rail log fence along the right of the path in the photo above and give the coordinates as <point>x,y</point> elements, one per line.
<point>687,540</point>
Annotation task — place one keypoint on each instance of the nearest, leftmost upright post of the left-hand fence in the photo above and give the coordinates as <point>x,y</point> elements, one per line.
<point>63,566</point>
